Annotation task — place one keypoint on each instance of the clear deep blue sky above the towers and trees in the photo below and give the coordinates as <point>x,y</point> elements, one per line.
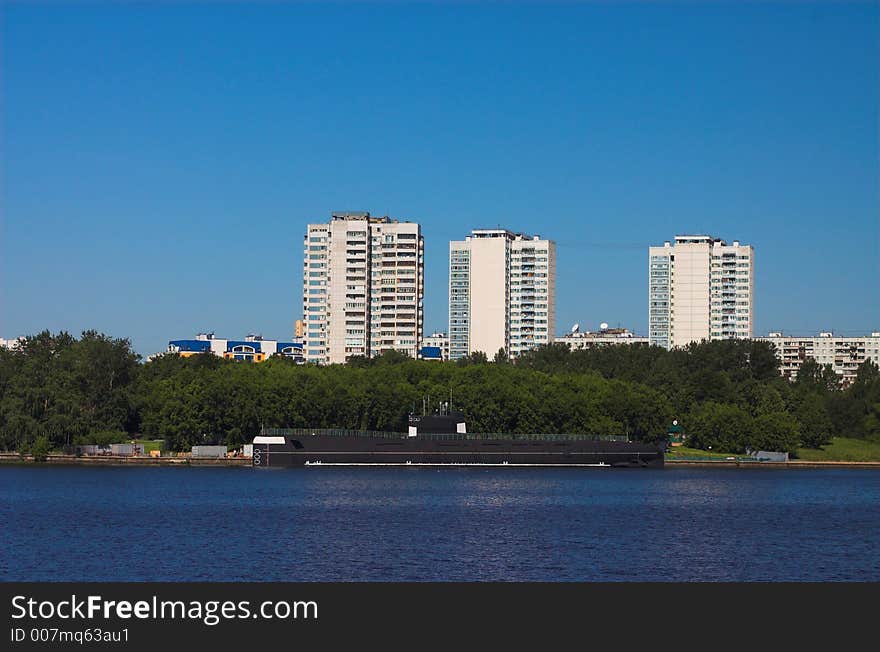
<point>160,162</point>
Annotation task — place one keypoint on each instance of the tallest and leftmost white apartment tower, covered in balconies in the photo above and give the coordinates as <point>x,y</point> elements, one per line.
<point>363,285</point>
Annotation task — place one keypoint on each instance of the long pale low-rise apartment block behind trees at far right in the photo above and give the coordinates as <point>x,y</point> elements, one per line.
<point>843,353</point>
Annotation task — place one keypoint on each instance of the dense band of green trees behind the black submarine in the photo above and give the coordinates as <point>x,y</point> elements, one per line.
<point>59,390</point>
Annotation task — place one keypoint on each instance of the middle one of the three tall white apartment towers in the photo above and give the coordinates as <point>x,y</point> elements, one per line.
<point>502,293</point>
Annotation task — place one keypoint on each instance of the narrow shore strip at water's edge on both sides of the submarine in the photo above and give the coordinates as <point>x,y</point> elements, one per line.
<point>121,460</point>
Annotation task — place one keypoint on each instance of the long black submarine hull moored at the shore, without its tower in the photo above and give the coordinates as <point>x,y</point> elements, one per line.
<point>317,450</point>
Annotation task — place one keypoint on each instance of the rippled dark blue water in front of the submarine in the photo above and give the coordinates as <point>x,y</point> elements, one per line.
<point>419,524</point>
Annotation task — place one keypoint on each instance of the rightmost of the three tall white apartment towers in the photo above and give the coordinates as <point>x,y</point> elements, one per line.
<point>700,288</point>
